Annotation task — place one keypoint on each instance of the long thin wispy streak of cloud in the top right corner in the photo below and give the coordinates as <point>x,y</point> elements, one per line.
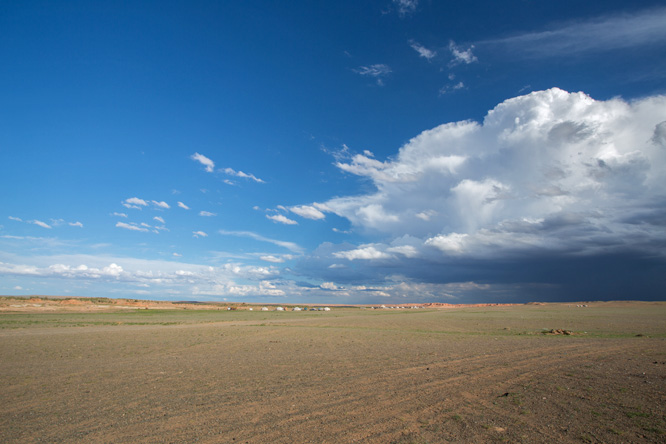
<point>605,33</point>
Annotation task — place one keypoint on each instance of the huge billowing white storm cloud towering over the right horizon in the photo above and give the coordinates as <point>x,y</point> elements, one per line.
<point>551,173</point>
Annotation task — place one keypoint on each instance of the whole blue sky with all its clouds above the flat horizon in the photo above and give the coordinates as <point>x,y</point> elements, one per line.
<point>339,152</point>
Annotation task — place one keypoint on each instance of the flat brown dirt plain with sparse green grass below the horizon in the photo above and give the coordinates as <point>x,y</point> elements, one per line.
<point>493,374</point>
